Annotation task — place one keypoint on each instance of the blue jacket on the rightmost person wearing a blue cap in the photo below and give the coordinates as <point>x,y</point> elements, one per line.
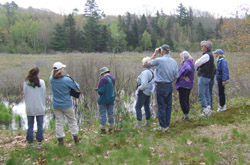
<point>222,71</point>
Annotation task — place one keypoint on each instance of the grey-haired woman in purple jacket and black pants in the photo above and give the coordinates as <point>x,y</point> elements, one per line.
<point>184,83</point>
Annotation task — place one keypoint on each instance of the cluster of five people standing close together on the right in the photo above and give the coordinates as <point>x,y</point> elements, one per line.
<point>166,72</point>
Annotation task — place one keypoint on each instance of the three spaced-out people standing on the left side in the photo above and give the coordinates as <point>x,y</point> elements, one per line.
<point>34,90</point>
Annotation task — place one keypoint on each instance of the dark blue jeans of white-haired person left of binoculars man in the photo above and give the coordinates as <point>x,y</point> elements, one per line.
<point>142,100</point>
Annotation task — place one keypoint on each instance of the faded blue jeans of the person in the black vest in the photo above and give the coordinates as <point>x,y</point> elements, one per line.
<point>203,90</point>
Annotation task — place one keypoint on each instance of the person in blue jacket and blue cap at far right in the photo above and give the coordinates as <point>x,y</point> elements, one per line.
<point>222,76</point>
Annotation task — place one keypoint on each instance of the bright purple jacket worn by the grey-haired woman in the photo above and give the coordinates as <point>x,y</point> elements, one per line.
<point>187,69</point>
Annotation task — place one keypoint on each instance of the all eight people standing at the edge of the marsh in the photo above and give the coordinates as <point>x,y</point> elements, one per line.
<point>159,80</point>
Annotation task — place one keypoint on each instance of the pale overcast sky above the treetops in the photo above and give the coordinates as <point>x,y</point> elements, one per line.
<point>114,7</point>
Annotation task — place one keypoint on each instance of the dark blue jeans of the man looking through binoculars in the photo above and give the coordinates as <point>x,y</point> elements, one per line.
<point>164,100</point>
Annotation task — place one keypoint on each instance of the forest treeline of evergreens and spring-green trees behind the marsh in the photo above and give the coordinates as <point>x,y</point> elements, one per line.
<point>42,31</point>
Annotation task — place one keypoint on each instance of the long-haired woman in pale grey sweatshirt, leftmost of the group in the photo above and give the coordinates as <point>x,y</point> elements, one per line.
<point>34,91</point>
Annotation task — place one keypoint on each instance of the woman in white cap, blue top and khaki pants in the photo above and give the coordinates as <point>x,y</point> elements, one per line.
<point>62,102</point>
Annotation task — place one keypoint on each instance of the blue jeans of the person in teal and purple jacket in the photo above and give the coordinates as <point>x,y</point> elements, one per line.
<point>104,110</point>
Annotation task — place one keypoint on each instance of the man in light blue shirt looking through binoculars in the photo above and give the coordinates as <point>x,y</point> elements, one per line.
<point>166,72</point>
